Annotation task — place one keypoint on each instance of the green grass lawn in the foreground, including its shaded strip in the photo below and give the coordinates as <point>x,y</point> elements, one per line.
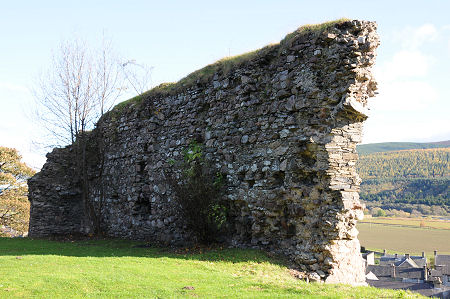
<point>118,269</point>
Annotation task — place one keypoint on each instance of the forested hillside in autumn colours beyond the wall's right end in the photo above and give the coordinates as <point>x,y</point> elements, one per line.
<point>414,181</point>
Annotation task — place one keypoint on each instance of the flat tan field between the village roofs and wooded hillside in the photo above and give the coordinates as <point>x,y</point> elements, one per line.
<point>405,235</point>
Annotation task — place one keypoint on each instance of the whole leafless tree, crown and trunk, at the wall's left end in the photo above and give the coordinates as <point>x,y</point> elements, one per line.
<point>80,86</point>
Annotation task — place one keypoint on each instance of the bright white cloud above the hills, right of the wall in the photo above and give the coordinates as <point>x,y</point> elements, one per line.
<point>404,109</point>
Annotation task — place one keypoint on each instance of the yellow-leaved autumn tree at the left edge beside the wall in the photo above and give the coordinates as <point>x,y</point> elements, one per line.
<point>14,205</point>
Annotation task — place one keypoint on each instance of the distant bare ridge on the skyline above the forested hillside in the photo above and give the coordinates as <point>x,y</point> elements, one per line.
<point>364,149</point>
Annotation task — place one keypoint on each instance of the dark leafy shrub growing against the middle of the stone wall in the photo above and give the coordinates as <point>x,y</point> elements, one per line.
<point>199,191</point>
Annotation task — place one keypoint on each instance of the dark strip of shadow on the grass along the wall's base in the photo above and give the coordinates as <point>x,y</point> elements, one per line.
<point>125,248</point>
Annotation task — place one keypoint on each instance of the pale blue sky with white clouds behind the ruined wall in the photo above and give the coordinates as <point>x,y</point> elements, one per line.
<point>178,37</point>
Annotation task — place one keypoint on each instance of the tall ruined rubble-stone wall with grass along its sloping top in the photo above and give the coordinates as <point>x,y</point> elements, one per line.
<point>282,124</point>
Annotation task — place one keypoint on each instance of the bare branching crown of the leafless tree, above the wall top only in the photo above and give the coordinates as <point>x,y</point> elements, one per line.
<point>80,86</point>
